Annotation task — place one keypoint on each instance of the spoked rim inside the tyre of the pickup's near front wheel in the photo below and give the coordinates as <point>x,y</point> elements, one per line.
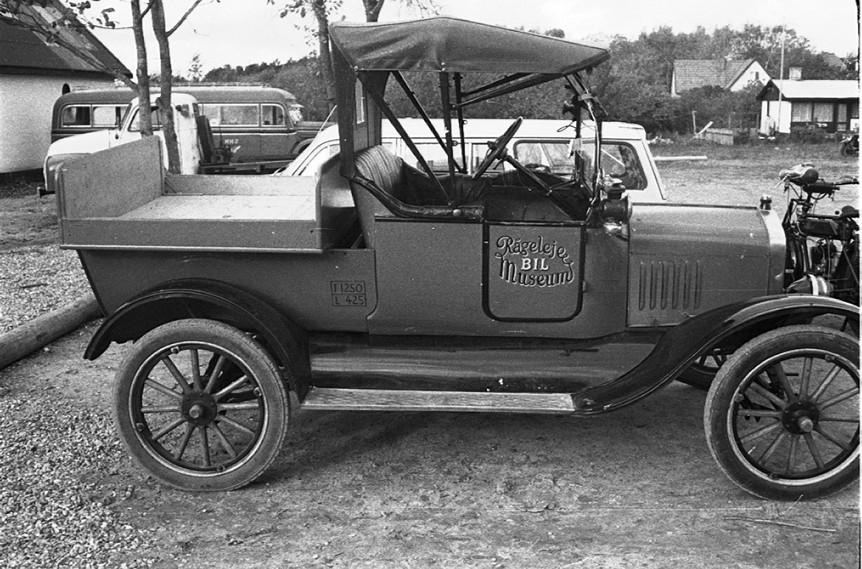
<point>795,418</point>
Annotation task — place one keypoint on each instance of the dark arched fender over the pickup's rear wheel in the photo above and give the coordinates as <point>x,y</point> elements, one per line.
<point>285,341</point>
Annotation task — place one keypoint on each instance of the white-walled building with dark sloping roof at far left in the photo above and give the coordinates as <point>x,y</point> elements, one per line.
<point>34,70</point>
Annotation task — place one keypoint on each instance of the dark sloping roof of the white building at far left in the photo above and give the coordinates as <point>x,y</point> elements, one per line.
<point>24,47</point>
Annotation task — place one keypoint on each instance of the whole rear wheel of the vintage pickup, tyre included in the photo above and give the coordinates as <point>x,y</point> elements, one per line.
<point>201,405</point>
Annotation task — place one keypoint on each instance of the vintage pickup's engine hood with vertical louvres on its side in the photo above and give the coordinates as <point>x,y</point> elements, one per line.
<point>687,259</point>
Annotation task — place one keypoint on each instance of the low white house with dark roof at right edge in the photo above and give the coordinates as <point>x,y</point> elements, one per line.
<point>832,105</point>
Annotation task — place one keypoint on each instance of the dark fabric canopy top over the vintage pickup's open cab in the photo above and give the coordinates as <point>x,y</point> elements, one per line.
<point>450,44</point>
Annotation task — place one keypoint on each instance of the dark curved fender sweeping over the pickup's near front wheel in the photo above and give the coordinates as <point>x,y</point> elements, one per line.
<point>680,346</point>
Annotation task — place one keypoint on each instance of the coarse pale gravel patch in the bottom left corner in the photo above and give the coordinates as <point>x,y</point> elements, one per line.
<point>55,505</point>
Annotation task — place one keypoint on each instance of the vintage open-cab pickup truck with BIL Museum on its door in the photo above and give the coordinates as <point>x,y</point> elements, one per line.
<point>376,285</point>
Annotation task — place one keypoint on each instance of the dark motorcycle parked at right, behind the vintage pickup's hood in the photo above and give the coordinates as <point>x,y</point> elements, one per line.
<point>822,250</point>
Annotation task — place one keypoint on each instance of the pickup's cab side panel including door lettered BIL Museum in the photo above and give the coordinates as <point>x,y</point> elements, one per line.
<point>490,276</point>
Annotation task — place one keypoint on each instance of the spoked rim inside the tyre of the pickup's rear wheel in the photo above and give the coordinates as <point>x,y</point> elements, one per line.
<point>197,409</point>
